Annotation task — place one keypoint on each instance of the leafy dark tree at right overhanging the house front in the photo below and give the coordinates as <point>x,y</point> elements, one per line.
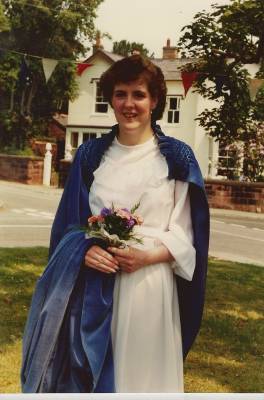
<point>221,43</point>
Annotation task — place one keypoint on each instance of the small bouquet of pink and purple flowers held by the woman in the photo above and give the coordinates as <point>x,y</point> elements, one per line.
<point>115,226</point>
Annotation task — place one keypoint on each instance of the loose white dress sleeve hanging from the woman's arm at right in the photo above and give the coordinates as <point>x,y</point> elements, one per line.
<point>179,237</point>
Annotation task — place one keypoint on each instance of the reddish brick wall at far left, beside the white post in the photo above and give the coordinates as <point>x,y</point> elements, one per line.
<point>21,169</point>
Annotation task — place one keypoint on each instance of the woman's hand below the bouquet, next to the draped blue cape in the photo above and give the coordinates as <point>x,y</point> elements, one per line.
<point>100,259</point>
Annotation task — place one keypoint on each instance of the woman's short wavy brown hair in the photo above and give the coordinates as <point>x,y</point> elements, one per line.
<point>130,69</point>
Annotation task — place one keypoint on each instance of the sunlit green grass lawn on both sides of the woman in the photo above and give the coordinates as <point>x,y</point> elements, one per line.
<point>228,355</point>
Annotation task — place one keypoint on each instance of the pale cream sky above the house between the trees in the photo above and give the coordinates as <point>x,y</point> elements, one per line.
<point>150,22</point>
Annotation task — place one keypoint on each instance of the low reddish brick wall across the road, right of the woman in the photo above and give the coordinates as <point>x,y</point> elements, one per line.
<point>232,195</point>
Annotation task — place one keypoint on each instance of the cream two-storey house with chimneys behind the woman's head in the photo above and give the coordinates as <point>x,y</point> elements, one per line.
<point>90,116</point>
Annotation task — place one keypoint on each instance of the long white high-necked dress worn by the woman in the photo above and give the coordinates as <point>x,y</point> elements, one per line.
<point>146,331</point>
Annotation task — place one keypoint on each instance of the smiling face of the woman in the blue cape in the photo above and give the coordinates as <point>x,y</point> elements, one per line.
<point>132,104</point>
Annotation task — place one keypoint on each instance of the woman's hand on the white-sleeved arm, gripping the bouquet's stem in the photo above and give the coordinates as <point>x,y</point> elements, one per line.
<point>129,259</point>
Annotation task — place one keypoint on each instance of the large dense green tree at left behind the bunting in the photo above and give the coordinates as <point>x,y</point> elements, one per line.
<point>53,29</point>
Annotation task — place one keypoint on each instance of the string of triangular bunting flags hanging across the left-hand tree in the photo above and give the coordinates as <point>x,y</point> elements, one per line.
<point>48,64</point>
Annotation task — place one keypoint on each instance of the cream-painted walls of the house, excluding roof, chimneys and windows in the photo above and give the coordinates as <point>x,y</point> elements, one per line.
<point>82,116</point>
